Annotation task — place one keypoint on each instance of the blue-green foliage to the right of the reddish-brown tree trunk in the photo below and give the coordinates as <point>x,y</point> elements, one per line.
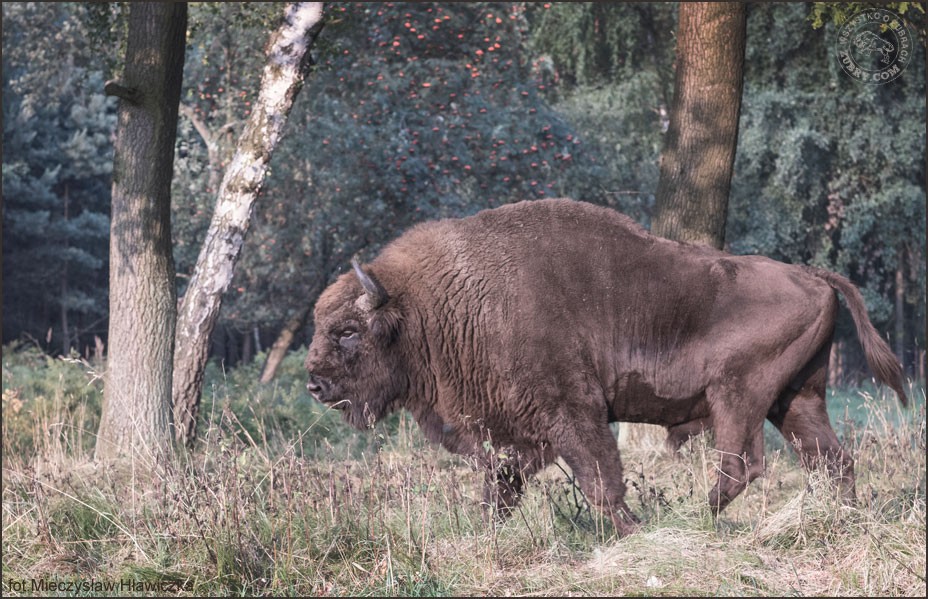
<point>829,171</point>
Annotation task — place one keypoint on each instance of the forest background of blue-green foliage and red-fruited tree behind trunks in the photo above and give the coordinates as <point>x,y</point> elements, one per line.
<point>427,110</point>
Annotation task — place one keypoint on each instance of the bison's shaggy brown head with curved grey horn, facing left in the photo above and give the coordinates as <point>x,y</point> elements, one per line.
<point>354,361</point>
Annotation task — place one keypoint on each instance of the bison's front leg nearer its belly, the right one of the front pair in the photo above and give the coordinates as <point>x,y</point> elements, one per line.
<point>587,445</point>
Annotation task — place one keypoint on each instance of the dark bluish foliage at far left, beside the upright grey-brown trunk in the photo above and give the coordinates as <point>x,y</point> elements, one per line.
<point>57,160</point>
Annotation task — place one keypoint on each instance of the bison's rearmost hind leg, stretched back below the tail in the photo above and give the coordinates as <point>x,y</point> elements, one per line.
<point>801,417</point>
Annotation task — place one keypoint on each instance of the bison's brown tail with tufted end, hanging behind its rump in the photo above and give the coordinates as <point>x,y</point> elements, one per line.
<point>880,357</point>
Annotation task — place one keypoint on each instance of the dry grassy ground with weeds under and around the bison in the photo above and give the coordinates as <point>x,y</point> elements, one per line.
<point>280,498</point>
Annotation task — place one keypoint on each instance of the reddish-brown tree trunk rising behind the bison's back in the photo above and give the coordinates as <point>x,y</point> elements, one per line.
<point>699,150</point>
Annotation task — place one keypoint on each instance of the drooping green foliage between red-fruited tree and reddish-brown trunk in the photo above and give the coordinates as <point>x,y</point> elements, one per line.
<point>610,71</point>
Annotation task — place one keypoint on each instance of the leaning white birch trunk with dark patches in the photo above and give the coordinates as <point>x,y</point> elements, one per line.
<point>287,63</point>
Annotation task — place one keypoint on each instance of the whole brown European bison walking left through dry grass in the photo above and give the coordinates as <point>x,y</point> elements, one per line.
<point>518,334</point>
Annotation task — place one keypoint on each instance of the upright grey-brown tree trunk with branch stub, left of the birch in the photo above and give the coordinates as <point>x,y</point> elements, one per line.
<point>137,393</point>
